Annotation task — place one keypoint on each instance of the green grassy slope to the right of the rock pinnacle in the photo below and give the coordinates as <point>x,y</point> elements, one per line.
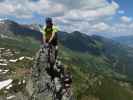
<point>93,77</point>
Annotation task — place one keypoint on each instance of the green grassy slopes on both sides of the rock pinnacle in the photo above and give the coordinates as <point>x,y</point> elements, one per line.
<point>92,75</point>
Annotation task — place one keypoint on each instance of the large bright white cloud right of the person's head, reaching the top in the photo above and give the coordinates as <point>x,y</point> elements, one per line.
<point>93,11</point>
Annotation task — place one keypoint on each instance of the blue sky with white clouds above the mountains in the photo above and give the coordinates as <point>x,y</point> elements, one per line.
<point>103,17</point>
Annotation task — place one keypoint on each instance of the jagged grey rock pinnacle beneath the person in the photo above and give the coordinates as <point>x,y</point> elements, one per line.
<point>49,81</point>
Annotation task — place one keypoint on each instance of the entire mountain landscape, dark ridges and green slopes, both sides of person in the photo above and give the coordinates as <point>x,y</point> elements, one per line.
<point>100,66</point>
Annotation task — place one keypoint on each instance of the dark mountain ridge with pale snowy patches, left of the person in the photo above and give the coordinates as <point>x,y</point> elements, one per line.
<point>10,29</point>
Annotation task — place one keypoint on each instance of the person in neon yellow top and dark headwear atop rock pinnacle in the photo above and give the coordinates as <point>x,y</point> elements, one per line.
<point>49,33</point>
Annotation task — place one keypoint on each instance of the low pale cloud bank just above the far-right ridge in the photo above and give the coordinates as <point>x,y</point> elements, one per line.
<point>113,29</point>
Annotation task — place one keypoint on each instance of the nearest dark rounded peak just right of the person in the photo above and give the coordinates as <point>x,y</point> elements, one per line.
<point>80,42</point>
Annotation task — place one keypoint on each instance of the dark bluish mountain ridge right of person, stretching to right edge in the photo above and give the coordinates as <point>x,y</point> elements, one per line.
<point>119,56</point>
